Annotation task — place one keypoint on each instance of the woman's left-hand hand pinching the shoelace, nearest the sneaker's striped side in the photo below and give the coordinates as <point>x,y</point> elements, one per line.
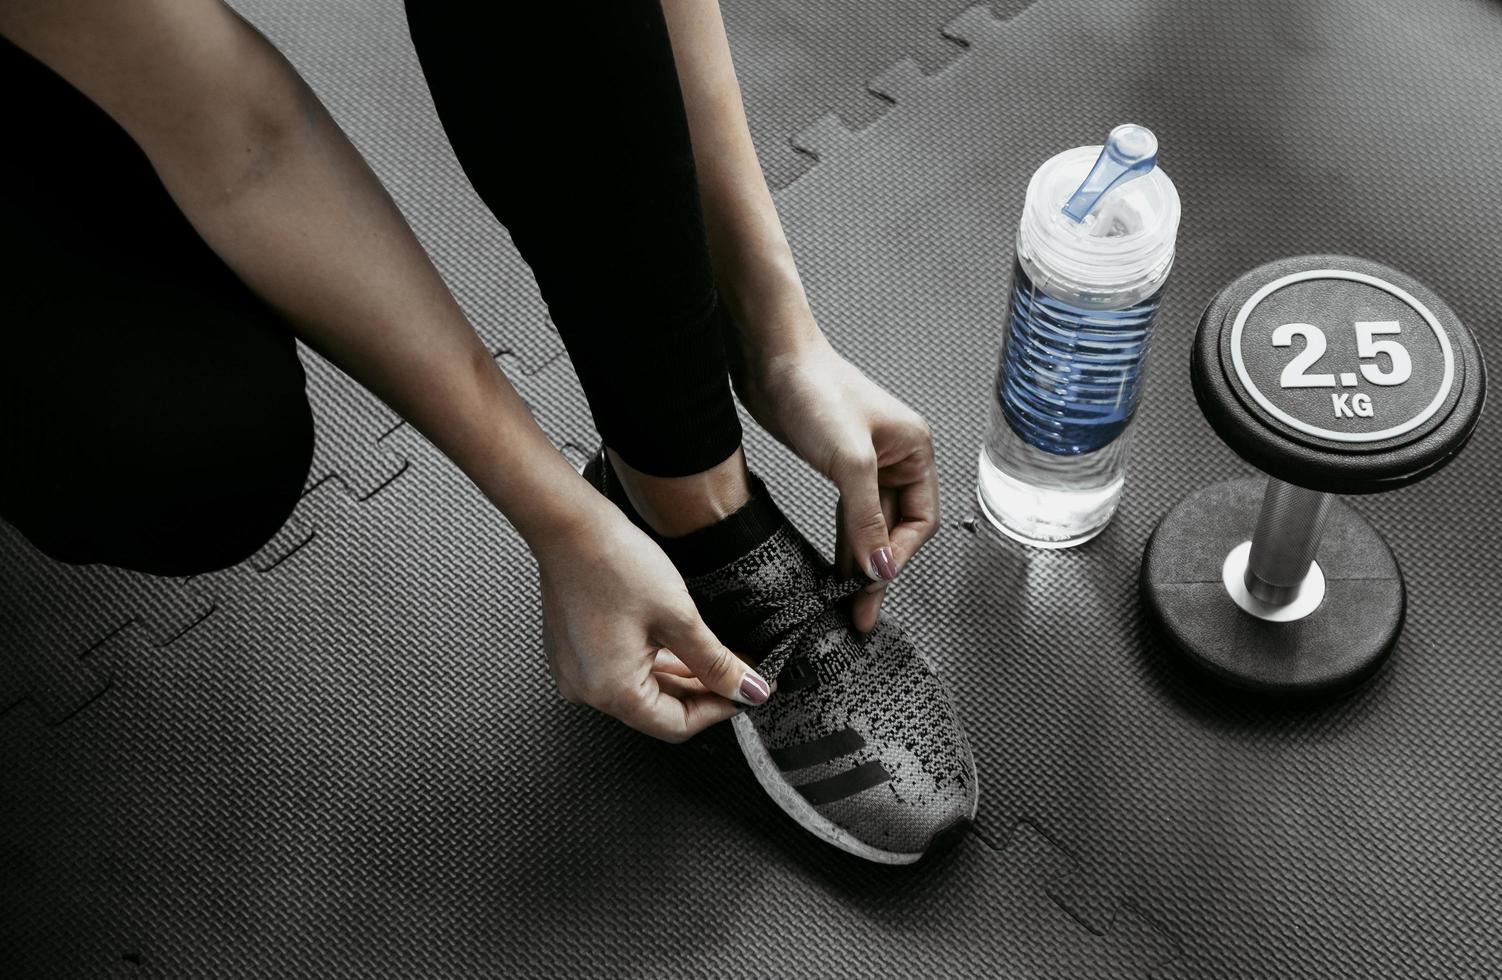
<point>624,637</point>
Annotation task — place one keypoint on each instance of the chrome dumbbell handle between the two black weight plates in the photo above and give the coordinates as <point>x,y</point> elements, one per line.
<point>1289,528</point>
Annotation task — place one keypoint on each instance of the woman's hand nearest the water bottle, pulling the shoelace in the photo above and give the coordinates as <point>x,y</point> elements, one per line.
<point>876,450</point>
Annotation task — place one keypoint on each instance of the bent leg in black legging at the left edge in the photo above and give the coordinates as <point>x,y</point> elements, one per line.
<point>152,410</point>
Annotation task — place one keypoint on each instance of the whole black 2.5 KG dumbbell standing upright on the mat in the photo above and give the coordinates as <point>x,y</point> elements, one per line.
<point>1332,375</point>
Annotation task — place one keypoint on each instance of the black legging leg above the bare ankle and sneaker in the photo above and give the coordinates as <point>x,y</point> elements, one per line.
<point>587,162</point>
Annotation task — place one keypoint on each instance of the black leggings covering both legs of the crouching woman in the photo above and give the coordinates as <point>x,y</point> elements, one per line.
<point>152,410</point>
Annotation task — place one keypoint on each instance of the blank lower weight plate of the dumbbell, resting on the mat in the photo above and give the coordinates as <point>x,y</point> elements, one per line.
<point>1336,647</point>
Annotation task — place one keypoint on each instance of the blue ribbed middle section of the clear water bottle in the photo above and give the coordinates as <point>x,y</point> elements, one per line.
<point>1070,378</point>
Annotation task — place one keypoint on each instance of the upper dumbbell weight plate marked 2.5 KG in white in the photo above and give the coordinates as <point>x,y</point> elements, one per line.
<point>1338,374</point>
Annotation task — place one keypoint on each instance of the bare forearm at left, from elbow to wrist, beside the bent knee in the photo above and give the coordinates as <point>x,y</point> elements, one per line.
<point>313,232</point>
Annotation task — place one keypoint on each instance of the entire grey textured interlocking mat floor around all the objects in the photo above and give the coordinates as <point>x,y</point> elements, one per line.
<point>346,758</point>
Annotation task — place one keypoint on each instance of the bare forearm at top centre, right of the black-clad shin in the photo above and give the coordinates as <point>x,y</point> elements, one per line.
<point>753,264</point>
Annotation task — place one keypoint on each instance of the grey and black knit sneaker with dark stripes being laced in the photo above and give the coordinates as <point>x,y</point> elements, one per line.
<point>860,743</point>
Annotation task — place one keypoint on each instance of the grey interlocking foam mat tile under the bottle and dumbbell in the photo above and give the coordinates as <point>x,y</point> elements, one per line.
<point>1350,841</point>
